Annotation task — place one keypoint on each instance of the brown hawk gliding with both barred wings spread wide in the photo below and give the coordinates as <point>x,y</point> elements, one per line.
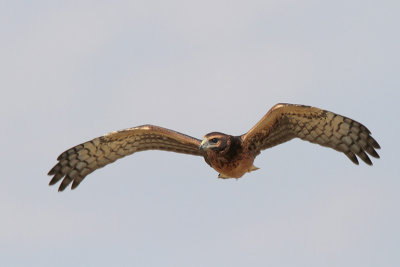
<point>231,156</point>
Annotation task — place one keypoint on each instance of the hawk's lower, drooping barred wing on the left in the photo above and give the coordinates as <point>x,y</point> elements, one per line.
<point>77,162</point>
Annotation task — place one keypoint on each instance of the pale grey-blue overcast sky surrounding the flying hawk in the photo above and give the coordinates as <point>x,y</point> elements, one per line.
<point>74,70</point>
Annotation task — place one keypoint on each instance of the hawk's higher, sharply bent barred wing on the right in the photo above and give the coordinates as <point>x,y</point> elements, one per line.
<point>284,122</point>
